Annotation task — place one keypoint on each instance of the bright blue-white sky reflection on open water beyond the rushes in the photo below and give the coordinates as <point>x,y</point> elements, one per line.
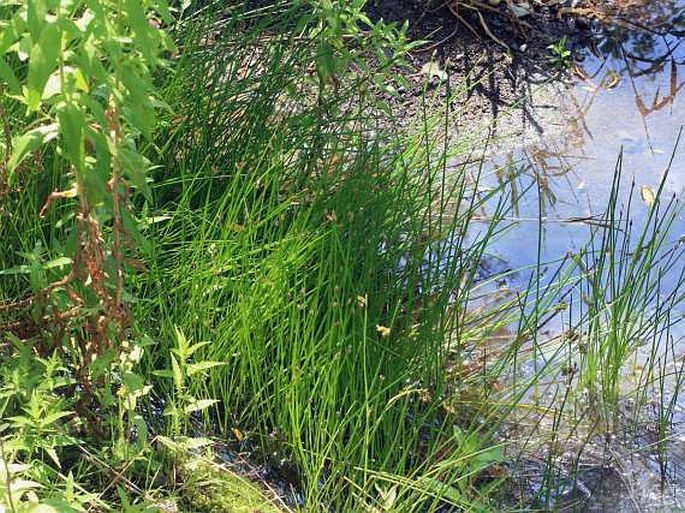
<point>628,98</point>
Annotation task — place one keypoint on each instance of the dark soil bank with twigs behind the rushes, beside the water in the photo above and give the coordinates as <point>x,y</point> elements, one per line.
<point>492,79</point>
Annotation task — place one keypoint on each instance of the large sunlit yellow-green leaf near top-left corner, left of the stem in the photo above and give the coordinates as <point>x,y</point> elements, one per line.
<point>42,62</point>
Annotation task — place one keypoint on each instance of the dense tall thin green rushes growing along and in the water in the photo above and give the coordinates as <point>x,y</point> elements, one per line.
<point>331,260</point>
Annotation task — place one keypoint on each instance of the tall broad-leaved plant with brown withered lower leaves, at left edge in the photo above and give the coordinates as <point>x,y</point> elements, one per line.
<point>82,71</point>
